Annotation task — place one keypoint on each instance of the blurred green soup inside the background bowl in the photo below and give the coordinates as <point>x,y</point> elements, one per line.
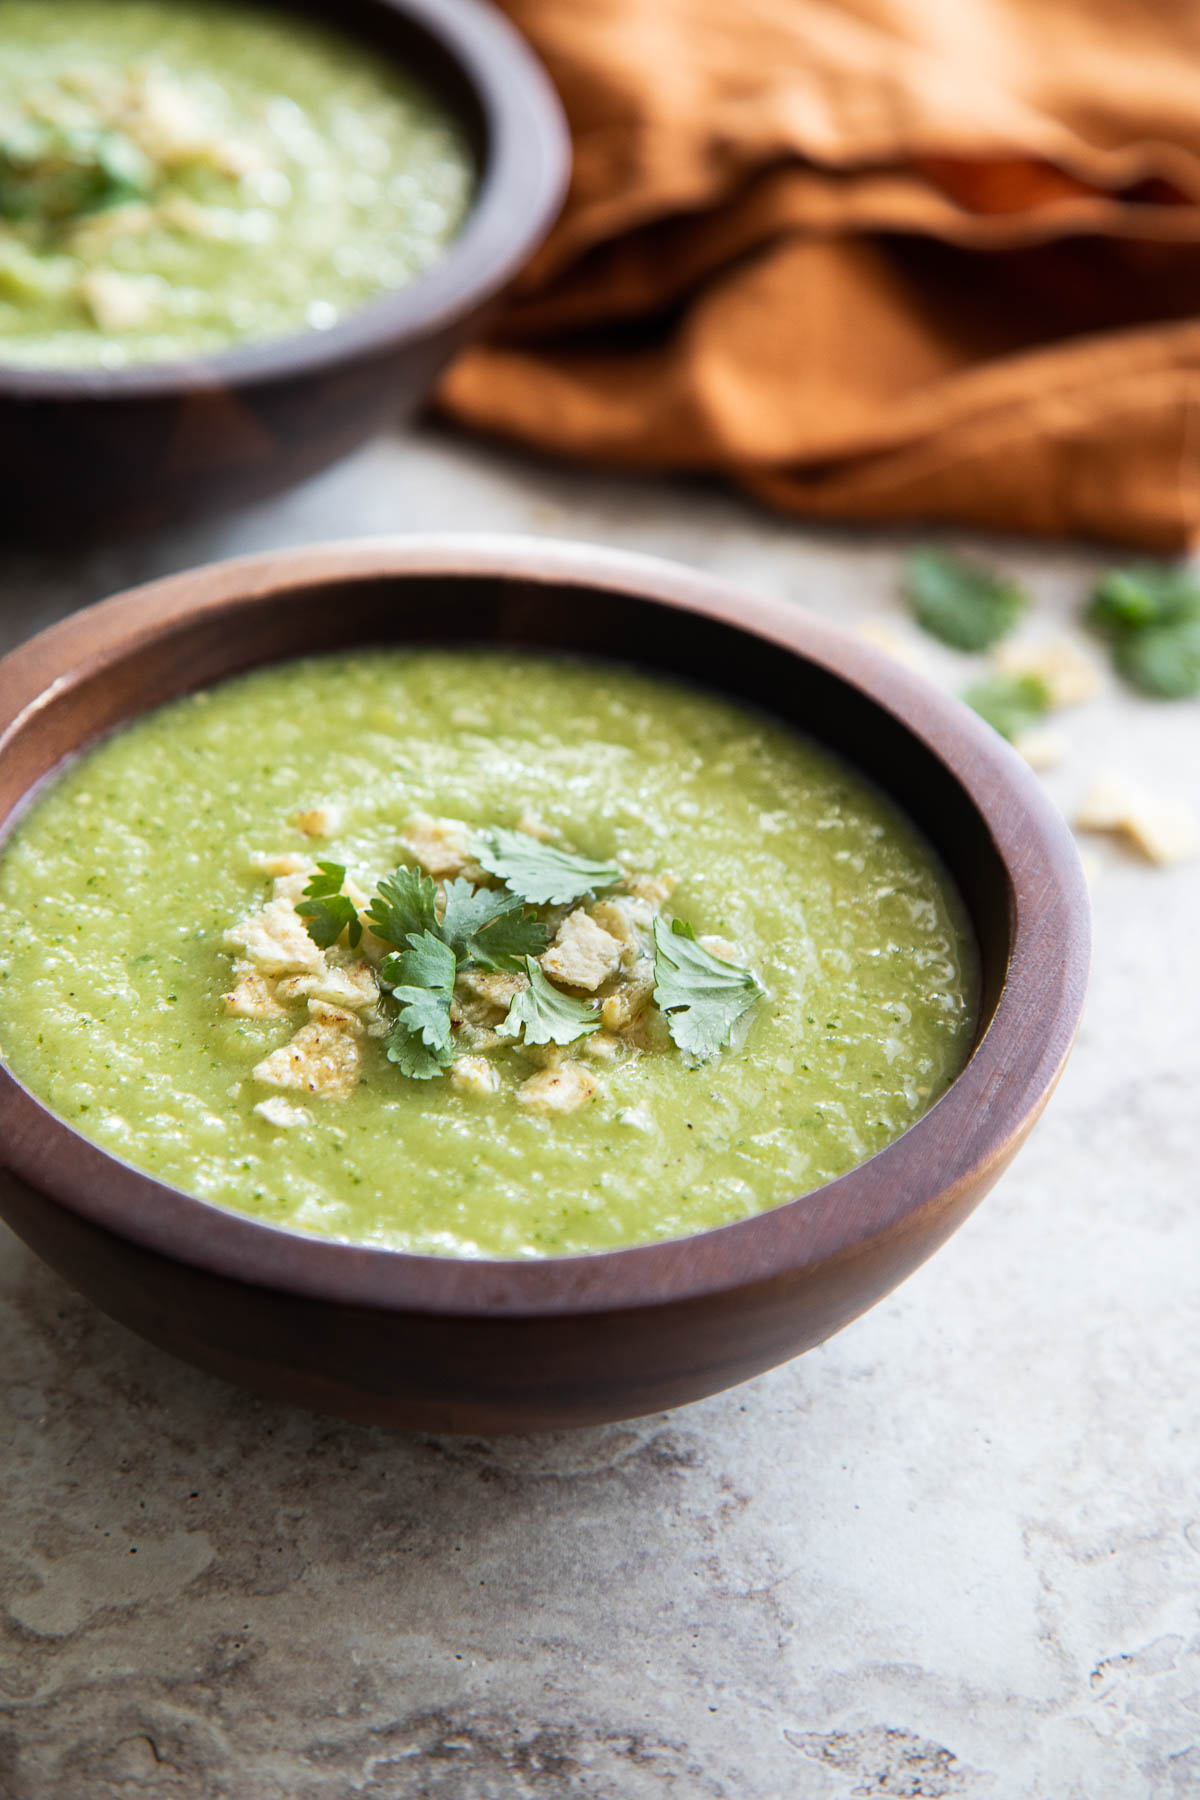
<point>181,177</point>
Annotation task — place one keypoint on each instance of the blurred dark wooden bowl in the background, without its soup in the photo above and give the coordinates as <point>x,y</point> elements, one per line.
<point>93,453</point>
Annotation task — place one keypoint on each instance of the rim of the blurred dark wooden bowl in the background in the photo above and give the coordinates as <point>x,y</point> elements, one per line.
<point>519,195</point>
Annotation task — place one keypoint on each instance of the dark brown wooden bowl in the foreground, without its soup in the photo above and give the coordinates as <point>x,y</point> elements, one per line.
<point>460,1345</point>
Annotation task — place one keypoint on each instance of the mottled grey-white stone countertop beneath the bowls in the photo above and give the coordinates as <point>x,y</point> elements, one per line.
<point>954,1552</point>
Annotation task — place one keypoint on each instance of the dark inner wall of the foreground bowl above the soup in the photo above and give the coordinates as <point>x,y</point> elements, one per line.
<point>550,616</point>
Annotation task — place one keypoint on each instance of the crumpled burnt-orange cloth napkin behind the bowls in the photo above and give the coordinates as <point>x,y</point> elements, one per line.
<point>872,258</point>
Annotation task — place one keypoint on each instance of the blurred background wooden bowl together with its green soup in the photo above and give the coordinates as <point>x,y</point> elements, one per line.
<point>237,246</point>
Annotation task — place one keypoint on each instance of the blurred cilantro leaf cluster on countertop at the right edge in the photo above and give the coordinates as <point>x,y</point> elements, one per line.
<point>1151,615</point>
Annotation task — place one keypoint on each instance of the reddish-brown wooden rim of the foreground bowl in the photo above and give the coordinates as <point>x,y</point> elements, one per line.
<point>954,1149</point>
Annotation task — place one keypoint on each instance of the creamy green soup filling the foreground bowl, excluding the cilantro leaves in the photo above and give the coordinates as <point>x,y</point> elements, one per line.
<point>138,892</point>
